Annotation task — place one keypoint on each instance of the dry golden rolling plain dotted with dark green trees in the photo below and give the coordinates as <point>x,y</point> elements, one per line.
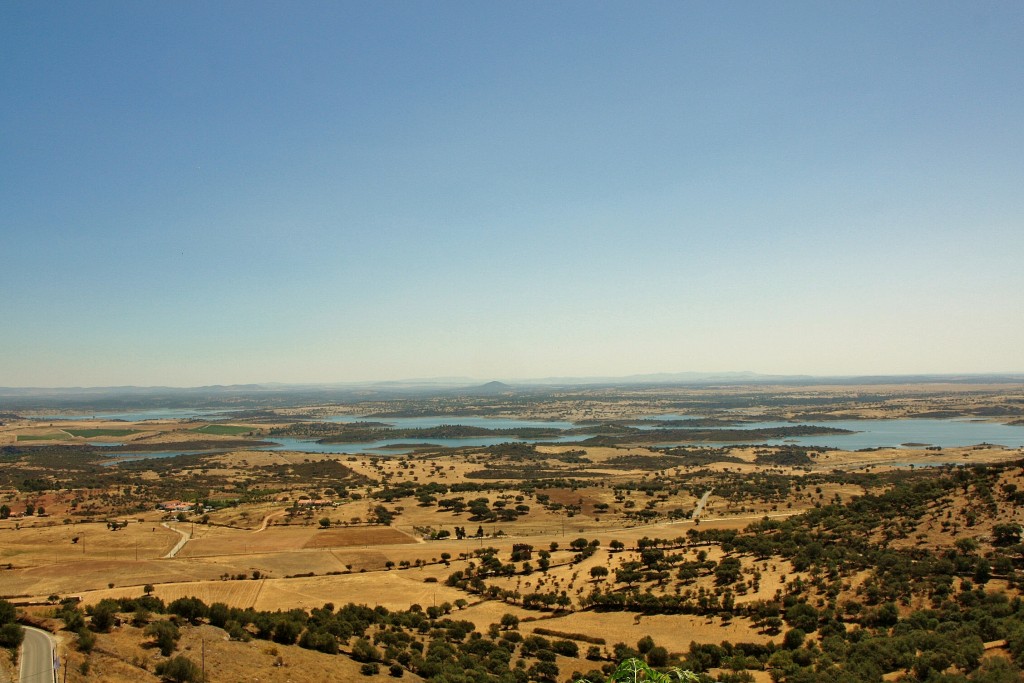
<point>670,523</point>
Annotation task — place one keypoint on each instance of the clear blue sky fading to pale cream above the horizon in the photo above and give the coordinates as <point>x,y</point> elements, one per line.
<point>220,193</point>
